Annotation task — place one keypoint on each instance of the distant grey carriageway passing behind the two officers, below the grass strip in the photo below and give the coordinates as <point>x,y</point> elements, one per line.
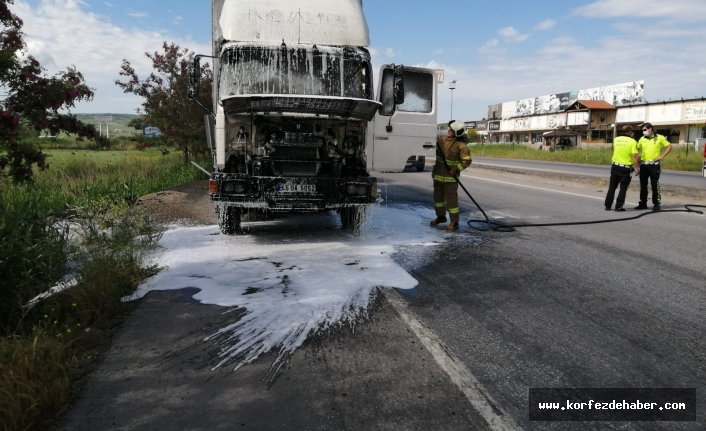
<point>675,178</point>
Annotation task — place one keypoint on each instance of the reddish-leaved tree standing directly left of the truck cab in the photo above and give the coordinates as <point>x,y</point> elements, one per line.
<point>166,104</point>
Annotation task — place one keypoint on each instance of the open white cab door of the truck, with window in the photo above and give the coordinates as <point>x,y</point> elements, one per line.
<point>406,129</point>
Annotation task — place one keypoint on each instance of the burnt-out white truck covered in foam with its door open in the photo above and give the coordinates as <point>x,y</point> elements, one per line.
<point>296,126</point>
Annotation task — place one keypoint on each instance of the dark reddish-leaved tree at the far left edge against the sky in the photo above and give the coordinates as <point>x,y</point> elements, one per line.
<point>34,100</point>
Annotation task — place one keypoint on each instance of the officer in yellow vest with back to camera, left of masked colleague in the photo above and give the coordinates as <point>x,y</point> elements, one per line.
<point>625,159</point>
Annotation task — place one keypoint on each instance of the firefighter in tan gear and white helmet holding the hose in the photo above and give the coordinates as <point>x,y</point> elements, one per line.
<point>452,156</point>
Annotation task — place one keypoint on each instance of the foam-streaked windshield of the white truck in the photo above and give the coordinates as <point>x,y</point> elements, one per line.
<point>328,71</point>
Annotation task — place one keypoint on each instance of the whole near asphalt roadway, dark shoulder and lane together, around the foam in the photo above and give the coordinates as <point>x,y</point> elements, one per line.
<point>494,314</point>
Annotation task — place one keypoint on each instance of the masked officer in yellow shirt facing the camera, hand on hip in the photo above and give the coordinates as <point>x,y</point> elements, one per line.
<point>650,146</point>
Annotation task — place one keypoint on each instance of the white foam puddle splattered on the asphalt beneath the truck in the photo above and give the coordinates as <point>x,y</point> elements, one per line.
<point>296,277</point>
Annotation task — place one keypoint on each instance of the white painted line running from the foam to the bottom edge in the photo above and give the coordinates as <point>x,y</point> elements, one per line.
<point>480,399</point>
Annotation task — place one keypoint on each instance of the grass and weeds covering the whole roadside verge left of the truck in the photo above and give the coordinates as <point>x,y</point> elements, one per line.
<point>43,349</point>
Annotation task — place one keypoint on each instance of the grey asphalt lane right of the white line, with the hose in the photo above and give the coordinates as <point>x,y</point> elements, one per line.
<point>614,305</point>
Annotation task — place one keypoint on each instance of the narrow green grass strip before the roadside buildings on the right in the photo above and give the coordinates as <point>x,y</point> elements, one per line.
<point>677,160</point>
